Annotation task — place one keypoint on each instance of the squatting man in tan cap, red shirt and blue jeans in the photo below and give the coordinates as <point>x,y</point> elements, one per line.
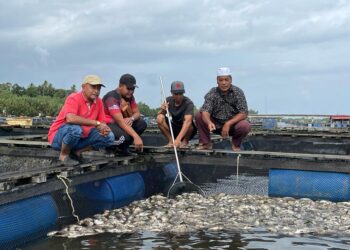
<point>80,126</point>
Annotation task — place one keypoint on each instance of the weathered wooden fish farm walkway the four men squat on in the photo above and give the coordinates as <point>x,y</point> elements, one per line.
<point>16,184</point>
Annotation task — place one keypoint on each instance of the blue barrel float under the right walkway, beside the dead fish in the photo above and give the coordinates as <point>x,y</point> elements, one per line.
<point>309,184</point>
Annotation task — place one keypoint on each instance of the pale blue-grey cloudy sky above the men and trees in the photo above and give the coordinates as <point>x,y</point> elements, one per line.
<point>290,56</point>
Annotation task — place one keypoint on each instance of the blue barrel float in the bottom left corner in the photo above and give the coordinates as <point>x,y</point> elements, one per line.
<point>24,220</point>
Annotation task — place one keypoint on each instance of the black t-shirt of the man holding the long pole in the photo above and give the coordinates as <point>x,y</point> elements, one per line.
<point>178,112</point>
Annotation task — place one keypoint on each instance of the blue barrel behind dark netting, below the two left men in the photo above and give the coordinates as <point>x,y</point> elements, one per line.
<point>115,190</point>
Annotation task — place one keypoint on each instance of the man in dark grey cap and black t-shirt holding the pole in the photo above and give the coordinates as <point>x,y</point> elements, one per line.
<point>181,111</point>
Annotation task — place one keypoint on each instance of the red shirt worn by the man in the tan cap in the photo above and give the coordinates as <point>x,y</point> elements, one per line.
<point>78,105</point>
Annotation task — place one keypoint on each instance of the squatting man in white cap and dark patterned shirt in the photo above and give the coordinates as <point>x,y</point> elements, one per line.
<point>224,112</point>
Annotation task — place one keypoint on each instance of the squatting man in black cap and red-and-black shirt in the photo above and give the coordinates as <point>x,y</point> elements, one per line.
<point>123,115</point>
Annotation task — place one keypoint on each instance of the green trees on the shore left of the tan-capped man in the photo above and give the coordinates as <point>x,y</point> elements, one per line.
<point>33,100</point>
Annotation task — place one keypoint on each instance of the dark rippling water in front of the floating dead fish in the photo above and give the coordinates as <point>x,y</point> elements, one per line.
<point>198,240</point>
